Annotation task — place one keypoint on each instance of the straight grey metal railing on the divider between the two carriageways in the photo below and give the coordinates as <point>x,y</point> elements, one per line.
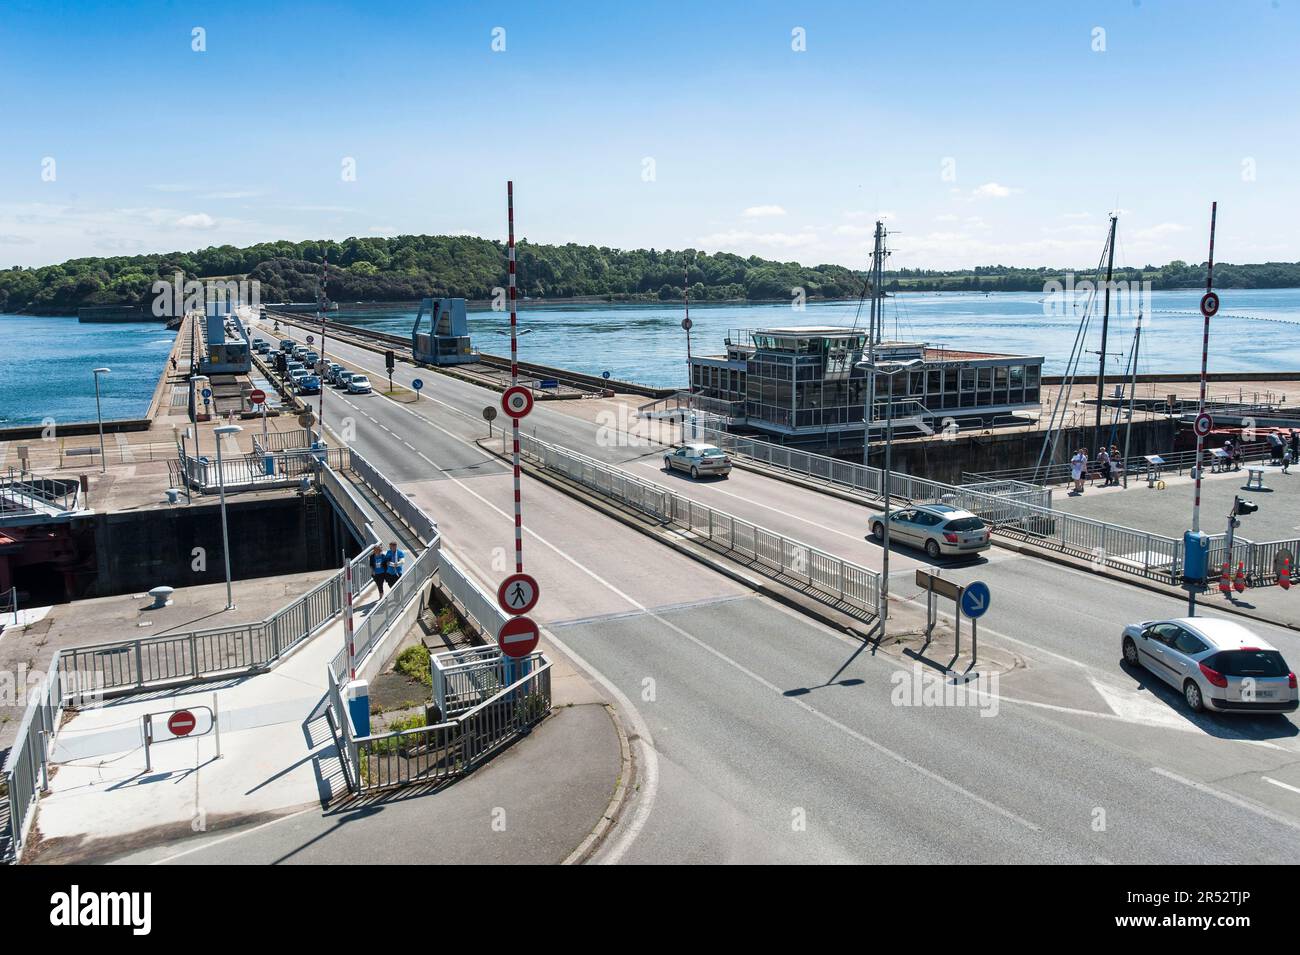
<point>825,575</point>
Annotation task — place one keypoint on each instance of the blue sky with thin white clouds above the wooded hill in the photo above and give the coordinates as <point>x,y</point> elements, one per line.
<point>982,133</point>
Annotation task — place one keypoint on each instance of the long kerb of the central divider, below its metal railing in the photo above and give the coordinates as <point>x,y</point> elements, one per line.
<point>788,597</point>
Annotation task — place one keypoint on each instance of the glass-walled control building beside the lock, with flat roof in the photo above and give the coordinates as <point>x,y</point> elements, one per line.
<point>807,381</point>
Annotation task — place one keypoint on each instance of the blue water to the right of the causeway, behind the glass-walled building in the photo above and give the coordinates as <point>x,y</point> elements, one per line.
<point>645,344</point>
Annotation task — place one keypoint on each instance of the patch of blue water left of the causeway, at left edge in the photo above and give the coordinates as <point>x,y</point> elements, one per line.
<point>46,368</point>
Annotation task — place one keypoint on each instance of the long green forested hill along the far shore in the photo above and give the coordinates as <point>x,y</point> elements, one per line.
<point>410,267</point>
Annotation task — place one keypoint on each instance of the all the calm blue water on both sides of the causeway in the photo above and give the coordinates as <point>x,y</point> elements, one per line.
<point>46,363</point>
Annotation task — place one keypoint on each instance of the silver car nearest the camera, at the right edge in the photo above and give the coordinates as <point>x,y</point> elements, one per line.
<point>1216,665</point>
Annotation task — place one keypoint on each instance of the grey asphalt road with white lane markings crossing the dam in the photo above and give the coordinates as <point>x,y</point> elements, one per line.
<point>742,761</point>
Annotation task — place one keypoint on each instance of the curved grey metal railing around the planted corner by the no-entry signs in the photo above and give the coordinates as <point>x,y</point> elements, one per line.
<point>447,750</point>
